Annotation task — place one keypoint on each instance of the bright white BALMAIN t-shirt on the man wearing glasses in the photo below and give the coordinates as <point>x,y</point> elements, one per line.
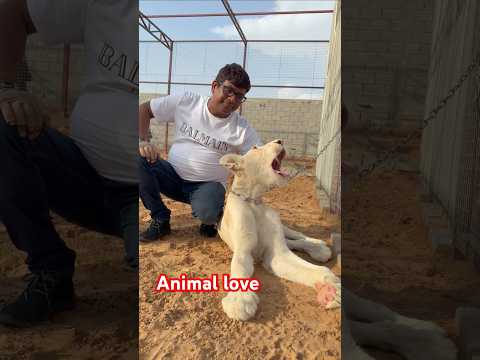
<point>201,139</point>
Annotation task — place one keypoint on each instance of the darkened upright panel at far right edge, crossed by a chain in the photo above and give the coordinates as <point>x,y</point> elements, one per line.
<point>450,156</point>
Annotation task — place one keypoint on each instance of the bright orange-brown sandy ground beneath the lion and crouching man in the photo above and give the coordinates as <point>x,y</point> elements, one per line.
<point>289,323</point>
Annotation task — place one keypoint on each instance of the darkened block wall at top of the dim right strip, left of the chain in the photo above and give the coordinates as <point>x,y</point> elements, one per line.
<point>385,59</point>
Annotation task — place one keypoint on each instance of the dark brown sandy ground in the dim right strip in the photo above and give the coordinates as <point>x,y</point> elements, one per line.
<point>387,257</point>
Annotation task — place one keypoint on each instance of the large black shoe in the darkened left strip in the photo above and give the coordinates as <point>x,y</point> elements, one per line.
<point>46,294</point>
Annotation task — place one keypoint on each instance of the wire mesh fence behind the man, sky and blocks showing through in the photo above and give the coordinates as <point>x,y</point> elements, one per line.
<point>287,84</point>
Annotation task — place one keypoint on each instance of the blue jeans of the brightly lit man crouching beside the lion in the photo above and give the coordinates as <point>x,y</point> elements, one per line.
<point>206,198</point>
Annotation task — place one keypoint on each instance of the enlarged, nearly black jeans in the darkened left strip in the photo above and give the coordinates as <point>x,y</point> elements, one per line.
<point>51,173</point>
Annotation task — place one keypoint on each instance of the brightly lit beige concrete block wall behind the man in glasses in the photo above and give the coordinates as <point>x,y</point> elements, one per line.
<point>297,122</point>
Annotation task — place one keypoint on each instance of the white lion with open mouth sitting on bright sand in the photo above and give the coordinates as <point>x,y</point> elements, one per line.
<point>254,231</point>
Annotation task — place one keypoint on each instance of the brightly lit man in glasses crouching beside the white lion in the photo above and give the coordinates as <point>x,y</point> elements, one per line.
<point>205,130</point>
